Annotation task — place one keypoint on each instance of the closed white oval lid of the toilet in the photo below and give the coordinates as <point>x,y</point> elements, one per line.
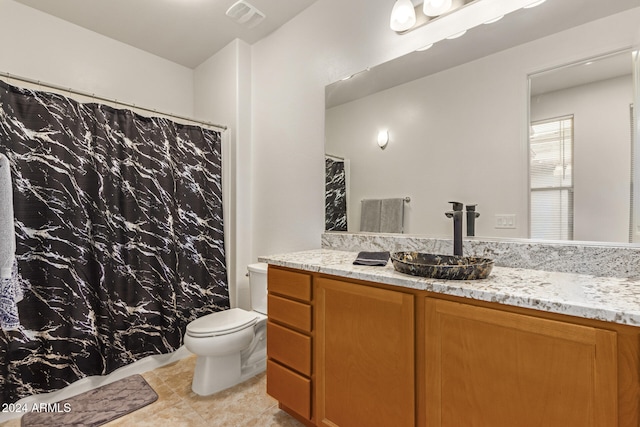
<point>222,322</point>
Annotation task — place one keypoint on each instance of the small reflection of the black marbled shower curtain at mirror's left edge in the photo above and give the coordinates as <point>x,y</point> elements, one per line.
<point>335,195</point>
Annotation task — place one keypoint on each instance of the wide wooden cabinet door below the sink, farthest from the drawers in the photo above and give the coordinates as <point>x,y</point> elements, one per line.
<point>492,368</point>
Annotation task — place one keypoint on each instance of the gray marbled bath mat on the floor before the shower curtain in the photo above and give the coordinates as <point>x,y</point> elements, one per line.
<point>94,407</point>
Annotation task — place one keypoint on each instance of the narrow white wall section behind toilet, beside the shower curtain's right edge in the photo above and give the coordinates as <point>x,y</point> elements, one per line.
<point>223,90</point>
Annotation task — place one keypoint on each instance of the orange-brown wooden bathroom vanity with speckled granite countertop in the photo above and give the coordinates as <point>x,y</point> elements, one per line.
<point>367,346</point>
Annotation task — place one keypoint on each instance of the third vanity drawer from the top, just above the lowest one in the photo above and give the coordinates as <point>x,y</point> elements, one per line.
<point>289,348</point>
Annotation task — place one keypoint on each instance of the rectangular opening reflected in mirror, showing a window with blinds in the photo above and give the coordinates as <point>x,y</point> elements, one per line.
<point>581,144</point>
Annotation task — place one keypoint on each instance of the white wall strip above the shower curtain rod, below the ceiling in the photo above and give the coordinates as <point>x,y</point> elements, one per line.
<point>41,47</point>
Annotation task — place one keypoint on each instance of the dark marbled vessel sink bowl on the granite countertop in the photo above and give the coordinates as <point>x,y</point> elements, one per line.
<point>442,266</point>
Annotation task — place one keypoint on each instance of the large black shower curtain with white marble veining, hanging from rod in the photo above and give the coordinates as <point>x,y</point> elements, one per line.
<point>119,235</point>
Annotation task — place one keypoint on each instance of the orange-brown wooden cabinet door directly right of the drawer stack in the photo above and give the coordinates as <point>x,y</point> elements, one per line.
<point>365,363</point>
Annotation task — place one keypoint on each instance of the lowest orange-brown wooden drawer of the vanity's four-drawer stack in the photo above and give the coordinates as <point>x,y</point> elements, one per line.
<point>289,388</point>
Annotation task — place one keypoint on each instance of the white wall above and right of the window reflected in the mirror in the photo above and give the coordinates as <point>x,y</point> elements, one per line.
<point>601,153</point>
